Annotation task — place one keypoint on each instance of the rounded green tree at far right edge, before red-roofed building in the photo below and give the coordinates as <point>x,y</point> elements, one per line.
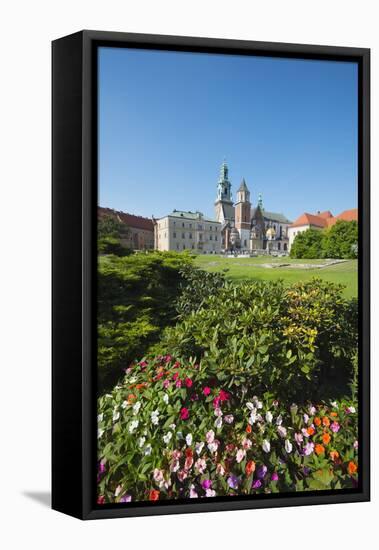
<point>341,240</point>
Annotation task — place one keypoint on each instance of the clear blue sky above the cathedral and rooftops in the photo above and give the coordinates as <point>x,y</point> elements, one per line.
<point>168,119</point>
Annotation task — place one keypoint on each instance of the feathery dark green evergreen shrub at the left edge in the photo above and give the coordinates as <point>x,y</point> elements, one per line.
<point>136,300</point>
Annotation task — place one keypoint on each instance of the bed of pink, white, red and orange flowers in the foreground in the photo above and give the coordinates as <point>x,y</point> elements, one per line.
<point>169,431</point>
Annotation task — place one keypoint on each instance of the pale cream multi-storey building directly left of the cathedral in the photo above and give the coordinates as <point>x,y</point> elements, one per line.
<point>182,230</point>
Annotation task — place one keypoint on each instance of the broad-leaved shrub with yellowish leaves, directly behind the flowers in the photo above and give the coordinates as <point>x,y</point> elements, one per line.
<point>298,341</point>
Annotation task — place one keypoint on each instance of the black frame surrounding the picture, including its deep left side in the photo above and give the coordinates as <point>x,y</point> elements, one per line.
<point>74,205</point>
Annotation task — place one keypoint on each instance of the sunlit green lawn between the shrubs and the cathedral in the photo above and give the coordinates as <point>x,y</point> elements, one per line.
<point>244,269</point>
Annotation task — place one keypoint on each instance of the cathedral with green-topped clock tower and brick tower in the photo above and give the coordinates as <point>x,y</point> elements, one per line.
<point>245,228</point>
